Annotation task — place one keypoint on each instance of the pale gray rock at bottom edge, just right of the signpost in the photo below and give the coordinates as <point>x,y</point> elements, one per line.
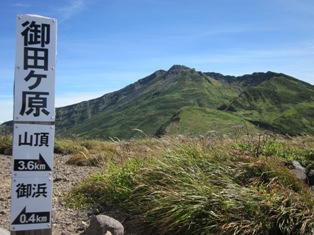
<point>102,224</point>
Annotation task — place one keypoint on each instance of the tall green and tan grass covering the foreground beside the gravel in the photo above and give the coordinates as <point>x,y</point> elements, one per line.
<point>218,184</point>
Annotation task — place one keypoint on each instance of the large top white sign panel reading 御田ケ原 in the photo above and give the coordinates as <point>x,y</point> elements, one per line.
<point>34,85</point>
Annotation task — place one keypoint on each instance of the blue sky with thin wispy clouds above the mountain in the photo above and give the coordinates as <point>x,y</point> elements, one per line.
<point>105,45</point>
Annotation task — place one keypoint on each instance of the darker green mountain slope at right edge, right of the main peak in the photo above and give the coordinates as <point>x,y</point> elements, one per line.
<point>281,104</point>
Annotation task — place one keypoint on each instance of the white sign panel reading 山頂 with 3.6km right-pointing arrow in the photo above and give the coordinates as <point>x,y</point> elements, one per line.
<point>33,150</point>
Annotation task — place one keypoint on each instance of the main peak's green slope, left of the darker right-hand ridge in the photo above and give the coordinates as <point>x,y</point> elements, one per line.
<point>145,105</point>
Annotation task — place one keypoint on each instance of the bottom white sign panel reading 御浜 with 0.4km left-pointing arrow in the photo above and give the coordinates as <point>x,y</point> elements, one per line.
<point>31,203</point>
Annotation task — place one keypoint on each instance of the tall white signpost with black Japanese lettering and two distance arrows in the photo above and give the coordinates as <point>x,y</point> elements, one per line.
<point>34,125</point>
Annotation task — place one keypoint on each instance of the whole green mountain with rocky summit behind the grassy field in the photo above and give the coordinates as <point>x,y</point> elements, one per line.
<point>184,101</point>
